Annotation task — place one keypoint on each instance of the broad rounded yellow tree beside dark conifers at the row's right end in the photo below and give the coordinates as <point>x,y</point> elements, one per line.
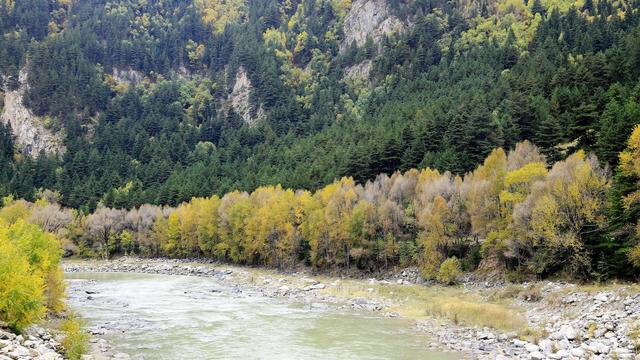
<point>562,211</point>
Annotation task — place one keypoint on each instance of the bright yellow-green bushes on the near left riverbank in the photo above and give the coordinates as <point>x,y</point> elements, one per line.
<point>31,278</point>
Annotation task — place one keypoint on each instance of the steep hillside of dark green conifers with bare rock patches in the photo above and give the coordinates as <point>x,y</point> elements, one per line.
<point>159,101</point>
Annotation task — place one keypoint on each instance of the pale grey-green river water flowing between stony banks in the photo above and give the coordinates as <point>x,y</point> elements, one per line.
<point>178,317</point>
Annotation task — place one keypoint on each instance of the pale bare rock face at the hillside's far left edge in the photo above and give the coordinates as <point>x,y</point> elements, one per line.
<point>30,132</point>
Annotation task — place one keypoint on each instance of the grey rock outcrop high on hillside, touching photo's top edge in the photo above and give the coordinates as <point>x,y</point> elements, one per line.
<point>369,18</point>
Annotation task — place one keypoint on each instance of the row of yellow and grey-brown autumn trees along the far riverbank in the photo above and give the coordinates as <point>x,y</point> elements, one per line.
<point>511,215</point>
